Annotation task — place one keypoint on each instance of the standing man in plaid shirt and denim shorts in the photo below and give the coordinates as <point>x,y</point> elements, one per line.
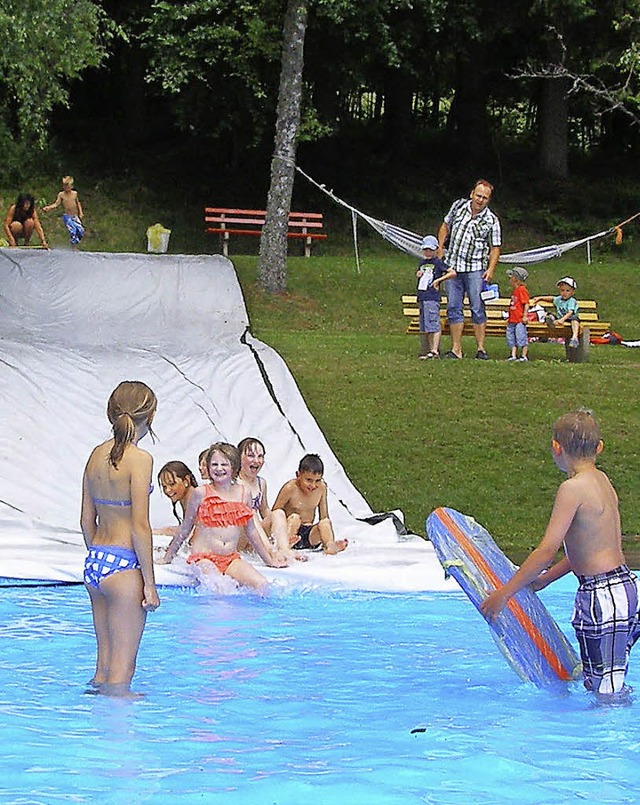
<point>475,238</point>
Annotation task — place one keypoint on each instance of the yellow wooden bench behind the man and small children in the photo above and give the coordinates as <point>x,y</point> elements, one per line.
<point>590,323</point>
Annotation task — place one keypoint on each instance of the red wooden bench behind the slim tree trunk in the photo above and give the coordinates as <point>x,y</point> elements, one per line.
<point>304,225</point>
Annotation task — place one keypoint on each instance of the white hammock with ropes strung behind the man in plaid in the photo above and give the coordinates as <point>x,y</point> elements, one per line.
<point>410,242</point>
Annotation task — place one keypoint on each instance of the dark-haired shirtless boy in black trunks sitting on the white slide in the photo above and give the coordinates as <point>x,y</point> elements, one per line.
<point>300,498</point>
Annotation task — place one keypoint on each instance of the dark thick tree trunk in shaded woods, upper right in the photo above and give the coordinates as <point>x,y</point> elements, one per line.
<point>553,158</point>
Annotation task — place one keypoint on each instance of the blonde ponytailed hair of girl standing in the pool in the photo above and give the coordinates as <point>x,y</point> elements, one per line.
<point>131,403</point>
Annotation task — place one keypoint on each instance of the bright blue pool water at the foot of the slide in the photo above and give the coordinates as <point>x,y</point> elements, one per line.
<point>309,697</point>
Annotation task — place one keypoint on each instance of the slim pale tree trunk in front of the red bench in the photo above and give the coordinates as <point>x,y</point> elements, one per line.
<point>272,268</point>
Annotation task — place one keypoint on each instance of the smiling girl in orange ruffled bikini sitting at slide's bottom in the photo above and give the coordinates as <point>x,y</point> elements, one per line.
<point>222,512</point>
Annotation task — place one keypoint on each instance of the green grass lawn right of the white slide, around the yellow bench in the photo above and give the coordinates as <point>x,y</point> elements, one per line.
<point>472,435</point>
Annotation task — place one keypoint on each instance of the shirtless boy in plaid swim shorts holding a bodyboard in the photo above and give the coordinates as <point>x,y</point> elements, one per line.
<point>586,521</point>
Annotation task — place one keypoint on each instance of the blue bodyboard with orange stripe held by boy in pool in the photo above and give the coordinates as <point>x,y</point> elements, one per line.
<point>527,635</point>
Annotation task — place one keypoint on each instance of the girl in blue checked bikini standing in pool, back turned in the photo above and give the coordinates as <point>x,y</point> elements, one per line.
<point>118,572</point>
